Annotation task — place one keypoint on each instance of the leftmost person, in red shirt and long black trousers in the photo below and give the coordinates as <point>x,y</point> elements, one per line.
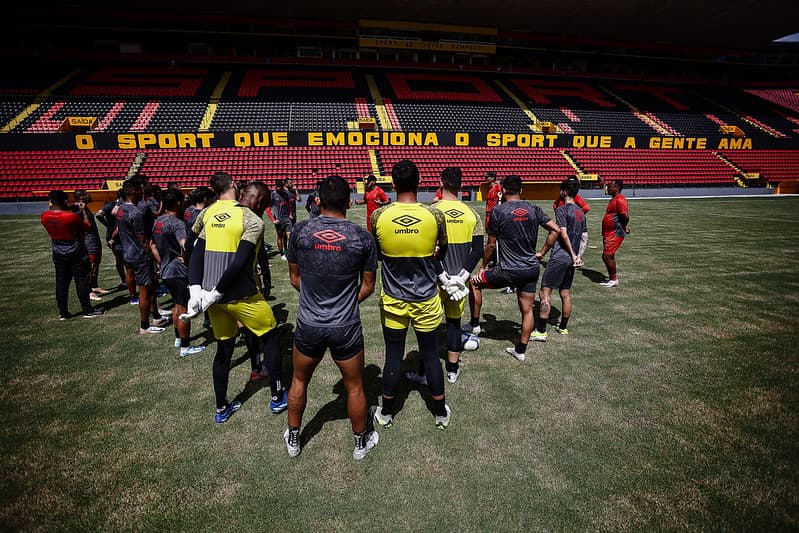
<point>71,261</point>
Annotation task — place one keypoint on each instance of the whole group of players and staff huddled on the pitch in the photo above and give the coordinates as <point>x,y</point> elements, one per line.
<point>209,255</point>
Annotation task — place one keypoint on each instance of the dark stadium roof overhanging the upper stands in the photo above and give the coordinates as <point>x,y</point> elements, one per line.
<point>738,24</point>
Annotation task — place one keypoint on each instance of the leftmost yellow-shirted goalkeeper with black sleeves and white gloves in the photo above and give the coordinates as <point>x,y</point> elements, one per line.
<point>222,280</point>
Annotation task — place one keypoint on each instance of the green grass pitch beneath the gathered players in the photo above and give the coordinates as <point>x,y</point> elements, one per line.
<point>671,406</point>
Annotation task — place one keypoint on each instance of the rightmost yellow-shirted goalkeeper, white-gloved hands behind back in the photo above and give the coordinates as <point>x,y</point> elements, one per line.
<point>464,249</point>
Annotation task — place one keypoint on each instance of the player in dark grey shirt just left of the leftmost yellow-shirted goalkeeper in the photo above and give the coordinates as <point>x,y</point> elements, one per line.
<point>169,250</point>
